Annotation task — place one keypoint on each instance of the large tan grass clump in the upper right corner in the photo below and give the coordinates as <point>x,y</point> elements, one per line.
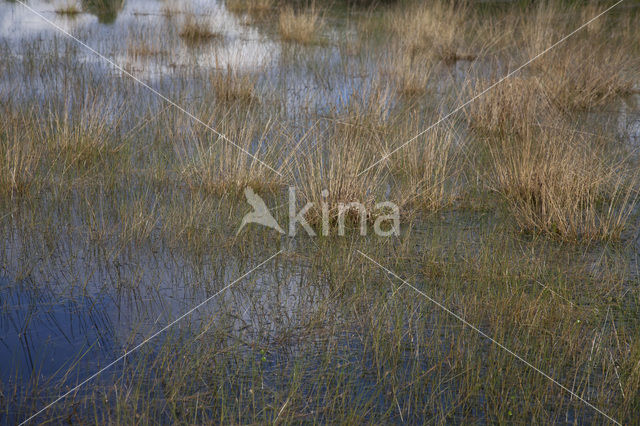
<point>587,70</point>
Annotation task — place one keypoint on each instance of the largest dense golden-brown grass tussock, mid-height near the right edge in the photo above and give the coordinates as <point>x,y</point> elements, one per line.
<point>564,185</point>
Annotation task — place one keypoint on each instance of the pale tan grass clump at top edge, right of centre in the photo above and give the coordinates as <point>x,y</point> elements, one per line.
<point>436,29</point>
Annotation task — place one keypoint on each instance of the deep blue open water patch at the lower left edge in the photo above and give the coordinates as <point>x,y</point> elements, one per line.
<point>44,334</point>
